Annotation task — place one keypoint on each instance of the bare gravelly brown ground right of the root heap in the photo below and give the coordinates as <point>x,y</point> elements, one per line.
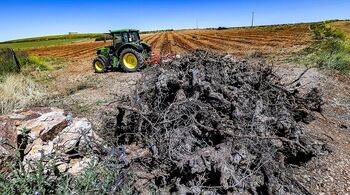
<point>328,173</point>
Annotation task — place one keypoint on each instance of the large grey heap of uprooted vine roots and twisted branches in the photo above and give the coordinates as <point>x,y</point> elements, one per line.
<point>219,125</point>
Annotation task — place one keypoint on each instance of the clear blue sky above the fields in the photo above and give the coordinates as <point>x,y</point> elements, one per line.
<point>29,18</point>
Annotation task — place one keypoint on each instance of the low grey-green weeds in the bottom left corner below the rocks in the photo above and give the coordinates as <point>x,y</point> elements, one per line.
<point>104,177</point>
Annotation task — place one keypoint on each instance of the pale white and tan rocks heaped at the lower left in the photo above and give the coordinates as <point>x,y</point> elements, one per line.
<point>48,135</point>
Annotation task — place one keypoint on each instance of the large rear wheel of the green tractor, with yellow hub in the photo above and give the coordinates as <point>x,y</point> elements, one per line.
<point>131,60</point>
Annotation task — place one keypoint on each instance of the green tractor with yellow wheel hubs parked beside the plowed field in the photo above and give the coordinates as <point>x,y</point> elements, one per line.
<point>127,52</point>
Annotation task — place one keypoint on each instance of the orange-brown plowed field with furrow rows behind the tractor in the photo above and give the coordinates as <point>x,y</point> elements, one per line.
<point>269,41</point>
